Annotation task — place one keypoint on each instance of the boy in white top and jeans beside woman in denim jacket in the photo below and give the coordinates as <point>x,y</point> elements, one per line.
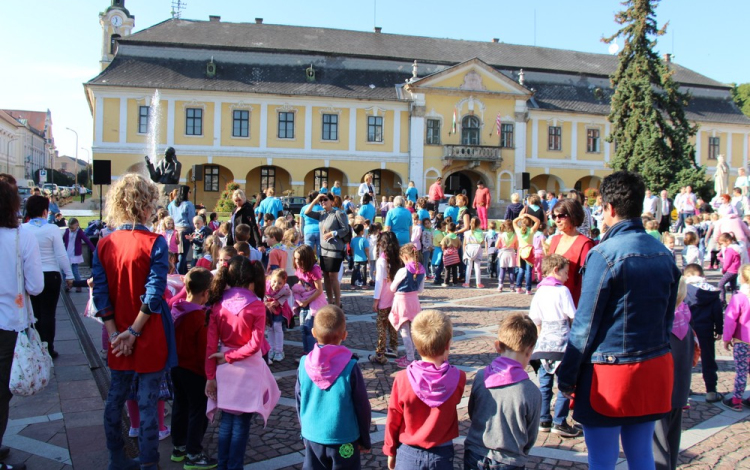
<point>552,311</point>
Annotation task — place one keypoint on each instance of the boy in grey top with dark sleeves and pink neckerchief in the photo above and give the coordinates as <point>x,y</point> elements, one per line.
<point>504,405</point>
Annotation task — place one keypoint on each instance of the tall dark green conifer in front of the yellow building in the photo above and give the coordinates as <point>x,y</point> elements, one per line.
<point>650,131</point>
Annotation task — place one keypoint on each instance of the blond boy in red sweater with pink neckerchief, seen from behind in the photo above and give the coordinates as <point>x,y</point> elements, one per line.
<point>422,418</point>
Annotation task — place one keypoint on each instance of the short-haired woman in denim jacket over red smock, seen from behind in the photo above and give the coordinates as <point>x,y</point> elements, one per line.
<point>618,365</point>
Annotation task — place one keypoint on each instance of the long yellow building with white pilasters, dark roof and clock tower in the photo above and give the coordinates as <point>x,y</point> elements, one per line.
<point>290,107</point>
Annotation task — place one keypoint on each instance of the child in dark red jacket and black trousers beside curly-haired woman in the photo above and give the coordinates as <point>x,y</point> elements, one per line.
<point>189,421</point>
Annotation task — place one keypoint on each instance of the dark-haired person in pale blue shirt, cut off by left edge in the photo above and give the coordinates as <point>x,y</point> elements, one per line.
<point>20,251</point>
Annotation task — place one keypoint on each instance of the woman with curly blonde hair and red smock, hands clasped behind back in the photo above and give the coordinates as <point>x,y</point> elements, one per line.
<point>134,261</point>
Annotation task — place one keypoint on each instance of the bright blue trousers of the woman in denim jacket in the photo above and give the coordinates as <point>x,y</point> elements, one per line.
<point>603,444</point>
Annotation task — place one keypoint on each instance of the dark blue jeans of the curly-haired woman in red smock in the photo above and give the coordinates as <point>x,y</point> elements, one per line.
<point>148,395</point>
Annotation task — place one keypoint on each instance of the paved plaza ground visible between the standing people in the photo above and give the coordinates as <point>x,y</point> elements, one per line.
<point>62,427</point>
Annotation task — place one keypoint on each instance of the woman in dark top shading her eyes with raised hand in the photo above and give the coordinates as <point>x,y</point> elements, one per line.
<point>334,235</point>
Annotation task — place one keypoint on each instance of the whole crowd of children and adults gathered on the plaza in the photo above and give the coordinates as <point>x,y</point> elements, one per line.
<point>194,309</point>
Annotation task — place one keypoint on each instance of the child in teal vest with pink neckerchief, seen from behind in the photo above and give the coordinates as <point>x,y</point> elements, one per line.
<point>332,404</point>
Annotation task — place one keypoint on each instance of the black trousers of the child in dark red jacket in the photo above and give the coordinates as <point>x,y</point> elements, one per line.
<point>189,420</point>
